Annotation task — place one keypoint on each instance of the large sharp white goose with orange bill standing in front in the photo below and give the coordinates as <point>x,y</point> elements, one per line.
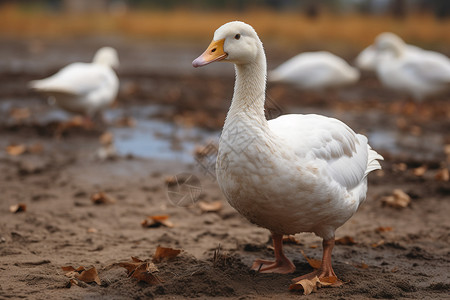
<point>296,173</point>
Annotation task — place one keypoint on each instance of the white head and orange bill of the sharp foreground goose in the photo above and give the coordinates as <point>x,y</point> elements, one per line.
<point>235,42</point>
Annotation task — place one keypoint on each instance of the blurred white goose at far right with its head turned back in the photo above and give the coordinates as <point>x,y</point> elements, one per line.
<point>419,75</point>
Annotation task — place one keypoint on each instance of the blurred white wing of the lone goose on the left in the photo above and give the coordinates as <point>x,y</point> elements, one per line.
<point>76,79</point>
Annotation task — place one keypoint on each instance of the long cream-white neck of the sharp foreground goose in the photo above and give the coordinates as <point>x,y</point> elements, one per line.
<point>249,92</point>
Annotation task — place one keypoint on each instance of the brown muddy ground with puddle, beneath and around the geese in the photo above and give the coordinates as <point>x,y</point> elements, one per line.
<point>399,252</point>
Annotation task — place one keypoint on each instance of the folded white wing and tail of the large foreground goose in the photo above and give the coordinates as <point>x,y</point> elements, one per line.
<point>347,155</point>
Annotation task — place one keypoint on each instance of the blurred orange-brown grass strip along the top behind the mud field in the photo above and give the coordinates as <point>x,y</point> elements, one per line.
<point>422,22</point>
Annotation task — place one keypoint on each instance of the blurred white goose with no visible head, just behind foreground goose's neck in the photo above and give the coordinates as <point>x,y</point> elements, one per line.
<point>315,71</point>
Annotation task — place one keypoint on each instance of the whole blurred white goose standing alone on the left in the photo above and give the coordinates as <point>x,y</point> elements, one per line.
<point>84,88</point>
